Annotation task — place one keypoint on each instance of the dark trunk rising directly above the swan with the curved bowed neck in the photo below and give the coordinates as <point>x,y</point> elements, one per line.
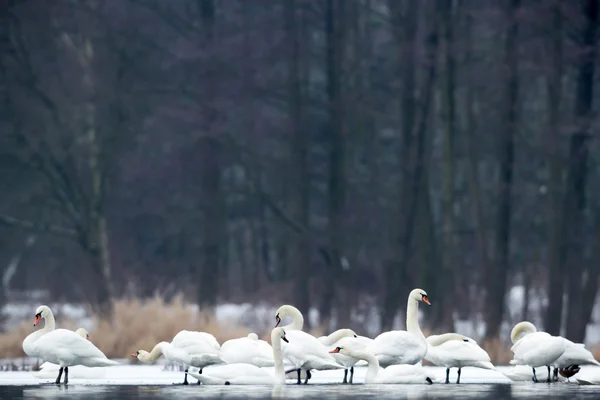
<point>300,256</point>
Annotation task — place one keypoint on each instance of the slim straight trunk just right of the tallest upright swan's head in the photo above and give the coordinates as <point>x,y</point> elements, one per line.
<point>445,281</point>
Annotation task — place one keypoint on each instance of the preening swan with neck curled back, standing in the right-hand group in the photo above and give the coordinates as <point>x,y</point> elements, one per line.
<point>535,349</point>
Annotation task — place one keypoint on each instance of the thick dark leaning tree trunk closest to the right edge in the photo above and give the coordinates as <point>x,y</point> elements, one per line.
<point>575,203</point>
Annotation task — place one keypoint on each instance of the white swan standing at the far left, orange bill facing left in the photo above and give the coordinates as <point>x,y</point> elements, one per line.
<point>66,348</point>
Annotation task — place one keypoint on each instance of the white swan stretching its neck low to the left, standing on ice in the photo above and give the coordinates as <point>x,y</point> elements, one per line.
<point>190,348</point>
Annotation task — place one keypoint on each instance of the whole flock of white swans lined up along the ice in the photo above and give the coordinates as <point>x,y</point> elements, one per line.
<point>393,357</point>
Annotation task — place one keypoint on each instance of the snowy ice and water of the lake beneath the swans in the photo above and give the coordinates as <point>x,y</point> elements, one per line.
<point>153,382</point>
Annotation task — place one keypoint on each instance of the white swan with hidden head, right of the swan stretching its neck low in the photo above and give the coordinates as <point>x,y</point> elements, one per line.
<point>248,350</point>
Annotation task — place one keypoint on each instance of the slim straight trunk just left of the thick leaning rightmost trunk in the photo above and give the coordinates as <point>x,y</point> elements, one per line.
<point>556,243</point>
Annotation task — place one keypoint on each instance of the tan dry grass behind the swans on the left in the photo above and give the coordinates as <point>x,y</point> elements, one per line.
<point>136,325</point>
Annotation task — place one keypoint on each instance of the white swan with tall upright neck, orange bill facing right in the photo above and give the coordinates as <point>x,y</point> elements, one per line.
<point>403,347</point>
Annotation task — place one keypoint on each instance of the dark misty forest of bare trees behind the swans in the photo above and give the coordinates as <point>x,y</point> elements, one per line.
<point>320,152</point>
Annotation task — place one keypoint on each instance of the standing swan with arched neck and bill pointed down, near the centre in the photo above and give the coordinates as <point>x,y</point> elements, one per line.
<point>303,351</point>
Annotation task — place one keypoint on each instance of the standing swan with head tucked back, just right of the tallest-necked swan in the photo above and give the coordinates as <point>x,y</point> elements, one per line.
<point>452,350</point>
